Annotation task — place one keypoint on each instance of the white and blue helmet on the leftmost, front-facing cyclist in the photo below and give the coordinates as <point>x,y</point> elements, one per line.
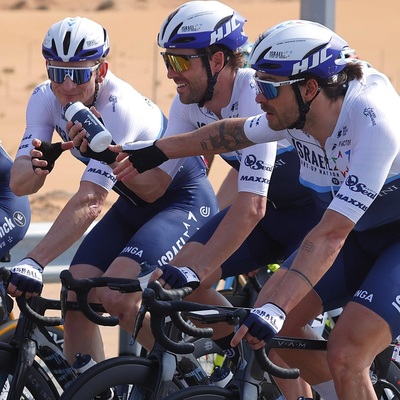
<point>75,39</point>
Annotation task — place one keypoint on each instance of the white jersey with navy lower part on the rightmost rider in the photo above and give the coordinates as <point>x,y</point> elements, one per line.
<point>359,167</point>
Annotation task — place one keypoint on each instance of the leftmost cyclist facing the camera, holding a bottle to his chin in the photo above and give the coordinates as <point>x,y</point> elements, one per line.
<point>75,50</point>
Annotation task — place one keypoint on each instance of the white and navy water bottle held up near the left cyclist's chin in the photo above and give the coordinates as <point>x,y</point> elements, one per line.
<point>97,135</point>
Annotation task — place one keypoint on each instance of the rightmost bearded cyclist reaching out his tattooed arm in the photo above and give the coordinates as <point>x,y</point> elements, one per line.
<point>341,115</point>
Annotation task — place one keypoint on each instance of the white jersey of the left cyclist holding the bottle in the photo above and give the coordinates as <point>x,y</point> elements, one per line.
<point>119,105</point>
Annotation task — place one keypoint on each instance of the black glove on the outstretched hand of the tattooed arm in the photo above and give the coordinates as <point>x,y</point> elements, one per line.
<point>144,158</point>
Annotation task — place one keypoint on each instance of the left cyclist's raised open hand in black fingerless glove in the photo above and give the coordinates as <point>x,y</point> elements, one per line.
<point>45,154</point>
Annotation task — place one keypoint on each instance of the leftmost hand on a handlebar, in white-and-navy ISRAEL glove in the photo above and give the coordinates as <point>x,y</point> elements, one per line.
<point>26,276</point>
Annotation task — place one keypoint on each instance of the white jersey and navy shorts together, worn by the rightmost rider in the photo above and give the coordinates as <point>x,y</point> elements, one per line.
<point>357,174</point>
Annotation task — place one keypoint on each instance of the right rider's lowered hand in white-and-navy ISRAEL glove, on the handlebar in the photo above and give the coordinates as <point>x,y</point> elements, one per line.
<point>261,325</point>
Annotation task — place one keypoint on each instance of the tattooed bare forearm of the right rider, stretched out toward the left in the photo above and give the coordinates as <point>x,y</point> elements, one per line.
<point>220,137</point>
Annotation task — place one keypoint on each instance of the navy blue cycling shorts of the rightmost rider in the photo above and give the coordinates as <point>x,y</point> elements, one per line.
<point>366,271</point>
